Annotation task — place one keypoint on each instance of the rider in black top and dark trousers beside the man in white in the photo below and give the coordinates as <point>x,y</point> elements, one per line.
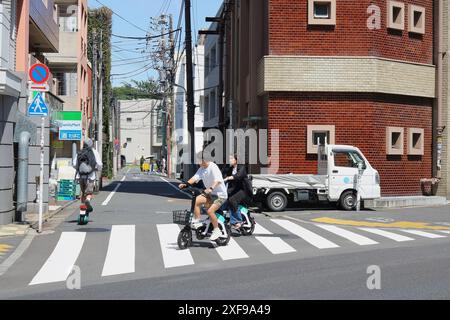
<point>239,189</point>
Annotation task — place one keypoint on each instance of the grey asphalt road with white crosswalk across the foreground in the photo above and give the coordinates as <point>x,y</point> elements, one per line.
<point>128,251</point>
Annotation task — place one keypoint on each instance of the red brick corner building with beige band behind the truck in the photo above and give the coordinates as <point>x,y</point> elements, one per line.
<point>356,72</point>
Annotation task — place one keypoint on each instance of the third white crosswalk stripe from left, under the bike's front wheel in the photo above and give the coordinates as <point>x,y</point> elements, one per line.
<point>172,255</point>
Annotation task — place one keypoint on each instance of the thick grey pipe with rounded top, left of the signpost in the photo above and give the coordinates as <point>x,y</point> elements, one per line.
<point>22,174</point>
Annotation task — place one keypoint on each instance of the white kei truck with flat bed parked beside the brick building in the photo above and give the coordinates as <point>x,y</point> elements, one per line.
<point>342,171</point>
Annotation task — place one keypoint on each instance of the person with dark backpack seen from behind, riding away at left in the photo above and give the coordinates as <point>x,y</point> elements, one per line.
<point>87,163</point>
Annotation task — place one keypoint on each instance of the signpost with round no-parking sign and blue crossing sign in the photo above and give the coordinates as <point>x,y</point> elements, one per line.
<point>39,75</point>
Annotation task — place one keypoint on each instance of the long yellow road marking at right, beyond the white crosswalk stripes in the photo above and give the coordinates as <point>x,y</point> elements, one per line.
<point>398,224</point>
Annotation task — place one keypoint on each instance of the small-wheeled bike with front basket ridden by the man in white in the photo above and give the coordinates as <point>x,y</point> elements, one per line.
<point>184,217</point>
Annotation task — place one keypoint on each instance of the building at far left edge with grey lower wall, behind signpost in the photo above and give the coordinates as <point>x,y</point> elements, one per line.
<point>28,30</point>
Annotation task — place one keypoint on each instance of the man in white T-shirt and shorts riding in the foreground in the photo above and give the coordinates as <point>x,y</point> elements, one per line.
<point>214,195</point>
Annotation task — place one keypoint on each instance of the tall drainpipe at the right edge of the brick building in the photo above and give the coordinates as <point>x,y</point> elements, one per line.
<point>439,54</point>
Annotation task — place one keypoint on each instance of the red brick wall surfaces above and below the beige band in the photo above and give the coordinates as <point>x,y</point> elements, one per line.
<point>360,118</point>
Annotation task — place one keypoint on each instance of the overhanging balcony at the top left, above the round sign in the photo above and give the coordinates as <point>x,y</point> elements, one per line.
<point>44,35</point>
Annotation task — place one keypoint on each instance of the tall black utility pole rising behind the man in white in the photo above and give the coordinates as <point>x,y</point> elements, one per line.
<point>190,82</point>
